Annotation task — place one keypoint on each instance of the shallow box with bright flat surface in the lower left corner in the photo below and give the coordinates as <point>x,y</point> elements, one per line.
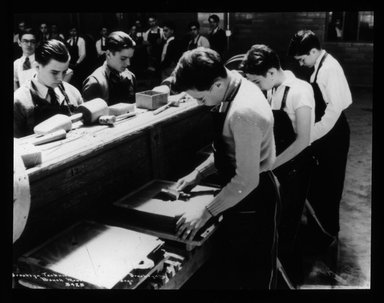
<point>90,255</point>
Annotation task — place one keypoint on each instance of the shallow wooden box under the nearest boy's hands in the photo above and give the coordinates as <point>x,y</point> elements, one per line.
<point>147,210</point>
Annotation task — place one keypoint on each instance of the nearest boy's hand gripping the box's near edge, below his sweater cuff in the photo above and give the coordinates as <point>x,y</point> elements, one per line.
<point>190,222</point>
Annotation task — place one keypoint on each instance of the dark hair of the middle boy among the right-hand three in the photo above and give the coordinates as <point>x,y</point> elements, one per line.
<point>259,59</point>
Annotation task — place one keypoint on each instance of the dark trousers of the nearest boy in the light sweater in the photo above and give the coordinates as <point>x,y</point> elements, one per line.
<point>246,250</point>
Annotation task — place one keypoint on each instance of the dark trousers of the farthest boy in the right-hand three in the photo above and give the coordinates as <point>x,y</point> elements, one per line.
<point>327,183</point>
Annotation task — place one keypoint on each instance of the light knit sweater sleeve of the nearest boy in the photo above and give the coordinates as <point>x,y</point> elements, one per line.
<point>247,138</point>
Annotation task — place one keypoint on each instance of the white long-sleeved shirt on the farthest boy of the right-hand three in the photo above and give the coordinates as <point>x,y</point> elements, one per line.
<point>335,90</point>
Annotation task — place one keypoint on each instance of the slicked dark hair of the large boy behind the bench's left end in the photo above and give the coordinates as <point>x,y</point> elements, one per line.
<point>51,49</point>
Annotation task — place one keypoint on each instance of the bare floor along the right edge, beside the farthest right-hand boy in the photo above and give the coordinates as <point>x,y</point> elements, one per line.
<point>354,248</point>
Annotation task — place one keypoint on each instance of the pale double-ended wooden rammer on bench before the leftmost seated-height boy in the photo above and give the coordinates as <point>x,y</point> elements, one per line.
<point>89,112</point>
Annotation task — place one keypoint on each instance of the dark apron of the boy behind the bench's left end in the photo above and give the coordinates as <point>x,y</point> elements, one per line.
<point>44,110</point>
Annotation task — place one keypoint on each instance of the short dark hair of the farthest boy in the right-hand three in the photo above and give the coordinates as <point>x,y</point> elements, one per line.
<point>302,42</point>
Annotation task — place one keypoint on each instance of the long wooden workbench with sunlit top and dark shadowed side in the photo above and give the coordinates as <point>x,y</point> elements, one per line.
<point>96,165</point>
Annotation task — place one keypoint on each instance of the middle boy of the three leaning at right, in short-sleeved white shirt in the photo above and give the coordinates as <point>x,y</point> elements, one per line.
<point>294,162</point>
